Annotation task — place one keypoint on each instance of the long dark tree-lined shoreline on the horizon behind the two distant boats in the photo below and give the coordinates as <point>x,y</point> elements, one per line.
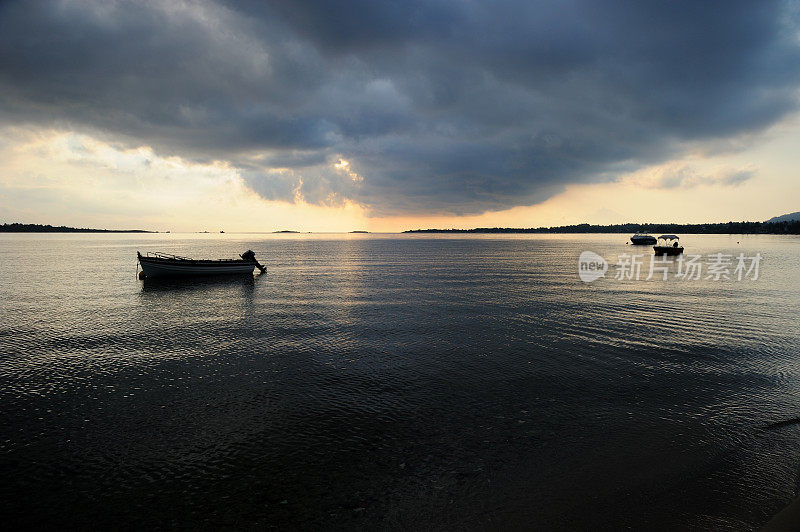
<point>790,227</point>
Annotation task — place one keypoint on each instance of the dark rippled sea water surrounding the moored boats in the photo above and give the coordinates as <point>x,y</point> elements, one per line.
<point>400,381</point>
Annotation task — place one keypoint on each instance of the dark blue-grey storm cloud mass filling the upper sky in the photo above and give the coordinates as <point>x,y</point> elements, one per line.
<point>441,106</point>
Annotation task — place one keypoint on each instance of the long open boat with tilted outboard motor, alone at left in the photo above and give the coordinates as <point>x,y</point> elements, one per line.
<point>166,265</point>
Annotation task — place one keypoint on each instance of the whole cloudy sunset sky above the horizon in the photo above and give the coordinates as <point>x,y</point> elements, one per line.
<point>373,115</point>
